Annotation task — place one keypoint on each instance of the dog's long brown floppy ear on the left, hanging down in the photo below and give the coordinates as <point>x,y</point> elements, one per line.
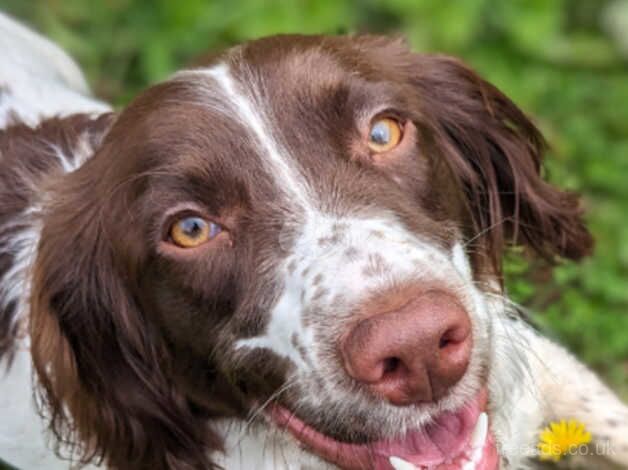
<point>102,368</point>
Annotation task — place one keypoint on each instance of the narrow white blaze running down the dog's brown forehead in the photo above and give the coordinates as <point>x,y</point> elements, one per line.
<point>246,102</point>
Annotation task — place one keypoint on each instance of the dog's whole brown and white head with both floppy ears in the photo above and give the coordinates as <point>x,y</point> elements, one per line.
<point>308,229</point>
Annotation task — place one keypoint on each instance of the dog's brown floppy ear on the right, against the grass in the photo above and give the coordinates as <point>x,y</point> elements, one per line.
<point>496,153</point>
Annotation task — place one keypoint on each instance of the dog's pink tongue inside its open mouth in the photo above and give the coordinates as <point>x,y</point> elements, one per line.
<point>446,437</point>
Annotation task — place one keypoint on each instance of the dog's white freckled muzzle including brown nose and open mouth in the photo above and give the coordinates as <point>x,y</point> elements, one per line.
<point>368,306</point>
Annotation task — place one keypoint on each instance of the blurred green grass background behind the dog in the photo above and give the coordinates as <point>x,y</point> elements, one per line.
<point>565,62</point>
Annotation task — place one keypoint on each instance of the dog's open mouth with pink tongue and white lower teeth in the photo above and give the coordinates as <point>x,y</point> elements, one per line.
<point>459,440</point>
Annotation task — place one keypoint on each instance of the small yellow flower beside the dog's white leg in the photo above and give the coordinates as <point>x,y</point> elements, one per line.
<point>559,438</point>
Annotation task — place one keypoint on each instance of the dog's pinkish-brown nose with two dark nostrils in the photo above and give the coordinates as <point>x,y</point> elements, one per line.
<point>412,354</point>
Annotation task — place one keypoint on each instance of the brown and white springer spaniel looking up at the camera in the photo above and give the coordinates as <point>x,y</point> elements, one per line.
<point>287,258</point>
